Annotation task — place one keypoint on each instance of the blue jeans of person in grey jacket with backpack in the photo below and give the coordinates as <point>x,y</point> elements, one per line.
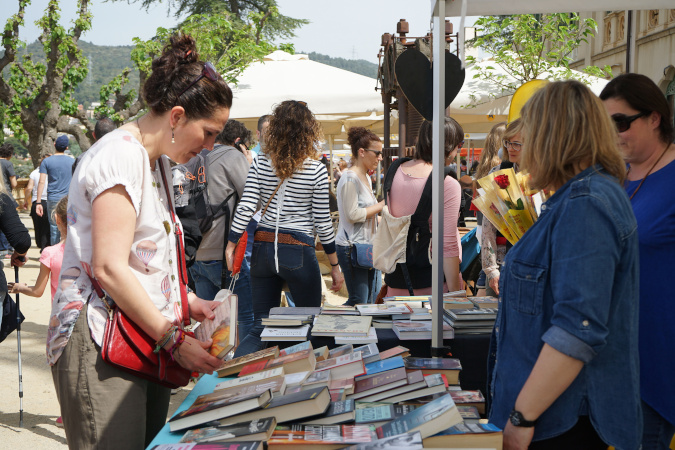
<point>207,276</point>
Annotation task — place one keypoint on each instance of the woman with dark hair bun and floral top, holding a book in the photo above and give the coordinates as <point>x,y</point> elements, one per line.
<point>122,236</point>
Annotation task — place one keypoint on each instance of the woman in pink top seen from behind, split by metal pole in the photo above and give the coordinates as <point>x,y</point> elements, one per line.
<point>405,194</point>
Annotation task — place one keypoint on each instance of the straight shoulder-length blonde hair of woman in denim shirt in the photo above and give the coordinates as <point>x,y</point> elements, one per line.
<point>565,129</point>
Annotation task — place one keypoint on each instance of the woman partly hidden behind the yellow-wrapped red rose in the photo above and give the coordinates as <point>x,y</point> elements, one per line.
<point>493,245</point>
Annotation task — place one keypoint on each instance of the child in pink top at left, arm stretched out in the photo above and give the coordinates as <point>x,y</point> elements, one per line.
<point>50,258</point>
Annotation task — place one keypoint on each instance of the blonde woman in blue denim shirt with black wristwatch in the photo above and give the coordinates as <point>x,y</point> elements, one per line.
<point>564,357</point>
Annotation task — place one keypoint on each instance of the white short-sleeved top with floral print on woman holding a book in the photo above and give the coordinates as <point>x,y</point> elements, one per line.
<point>117,159</point>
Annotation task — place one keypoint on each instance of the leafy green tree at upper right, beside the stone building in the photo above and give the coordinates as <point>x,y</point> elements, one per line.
<point>529,46</point>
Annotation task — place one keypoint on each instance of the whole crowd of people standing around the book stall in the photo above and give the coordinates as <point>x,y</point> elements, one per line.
<point>579,355</point>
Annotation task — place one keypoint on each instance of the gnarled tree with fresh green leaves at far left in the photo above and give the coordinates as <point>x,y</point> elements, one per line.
<point>39,95</point>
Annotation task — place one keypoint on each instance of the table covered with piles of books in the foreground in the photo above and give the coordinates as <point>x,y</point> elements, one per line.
<point>355,396</point>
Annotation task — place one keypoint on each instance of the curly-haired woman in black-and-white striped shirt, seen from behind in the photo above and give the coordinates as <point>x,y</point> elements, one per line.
<point>293,185</point>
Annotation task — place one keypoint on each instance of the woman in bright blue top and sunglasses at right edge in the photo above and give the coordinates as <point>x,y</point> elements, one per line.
<point>645,134</point>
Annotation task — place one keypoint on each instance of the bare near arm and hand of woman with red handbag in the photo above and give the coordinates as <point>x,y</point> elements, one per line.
<point>112,231</point>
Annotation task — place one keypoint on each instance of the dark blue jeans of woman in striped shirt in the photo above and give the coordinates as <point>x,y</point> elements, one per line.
<point>297,266</point>
